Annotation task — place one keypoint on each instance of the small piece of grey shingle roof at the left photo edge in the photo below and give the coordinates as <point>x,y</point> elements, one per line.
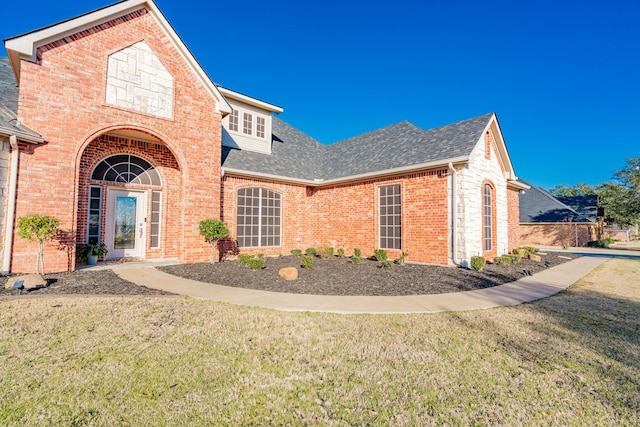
<point>9,124</point>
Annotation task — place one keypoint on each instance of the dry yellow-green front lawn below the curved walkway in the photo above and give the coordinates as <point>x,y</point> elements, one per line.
<point>573,359</point>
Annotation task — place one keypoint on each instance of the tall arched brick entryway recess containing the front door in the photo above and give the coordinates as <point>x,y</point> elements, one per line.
<point>125,195</point>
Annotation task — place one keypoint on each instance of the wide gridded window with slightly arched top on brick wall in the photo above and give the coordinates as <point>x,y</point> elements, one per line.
<point>259,217</point>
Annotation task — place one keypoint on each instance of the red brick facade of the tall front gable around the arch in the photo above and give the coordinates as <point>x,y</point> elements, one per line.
<point>63,98</point>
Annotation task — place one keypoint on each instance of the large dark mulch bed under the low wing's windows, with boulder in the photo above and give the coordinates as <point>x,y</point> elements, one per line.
<point>338,276</point>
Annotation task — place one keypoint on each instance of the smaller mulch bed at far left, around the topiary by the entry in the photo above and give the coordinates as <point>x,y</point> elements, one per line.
<point>84,282</point>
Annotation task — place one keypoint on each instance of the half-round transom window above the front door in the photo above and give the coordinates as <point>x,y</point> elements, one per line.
<point>126,169</point>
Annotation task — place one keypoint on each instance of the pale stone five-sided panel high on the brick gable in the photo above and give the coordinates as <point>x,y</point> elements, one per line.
<point>137,80</point>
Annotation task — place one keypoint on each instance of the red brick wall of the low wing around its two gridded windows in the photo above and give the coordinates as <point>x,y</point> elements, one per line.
<point>346,216</point>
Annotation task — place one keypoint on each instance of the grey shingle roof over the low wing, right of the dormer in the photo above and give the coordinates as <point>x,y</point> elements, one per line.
<point>400,146</point>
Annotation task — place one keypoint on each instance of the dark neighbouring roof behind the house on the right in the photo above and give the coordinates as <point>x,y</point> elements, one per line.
<point>540,206</point>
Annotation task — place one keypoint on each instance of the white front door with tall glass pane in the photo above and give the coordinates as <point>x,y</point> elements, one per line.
<point>125,224</point>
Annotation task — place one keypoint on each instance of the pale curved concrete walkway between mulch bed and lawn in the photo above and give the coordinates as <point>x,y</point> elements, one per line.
<point>541,285</point>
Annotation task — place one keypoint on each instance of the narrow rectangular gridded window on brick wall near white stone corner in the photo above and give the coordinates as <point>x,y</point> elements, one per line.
<point>390,216</point>
